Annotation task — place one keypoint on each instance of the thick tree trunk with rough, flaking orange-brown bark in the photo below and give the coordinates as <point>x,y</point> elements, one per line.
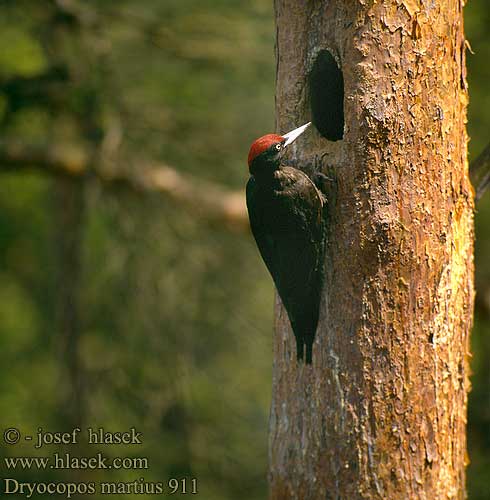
<point>382,411</point>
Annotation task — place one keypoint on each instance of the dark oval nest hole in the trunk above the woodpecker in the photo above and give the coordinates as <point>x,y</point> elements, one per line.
<point>326,83</point>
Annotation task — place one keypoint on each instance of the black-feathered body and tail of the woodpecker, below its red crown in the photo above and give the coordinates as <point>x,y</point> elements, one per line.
<point>286,217</point>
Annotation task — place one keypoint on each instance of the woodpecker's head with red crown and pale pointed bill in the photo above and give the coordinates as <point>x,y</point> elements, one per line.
<point>266,152</point>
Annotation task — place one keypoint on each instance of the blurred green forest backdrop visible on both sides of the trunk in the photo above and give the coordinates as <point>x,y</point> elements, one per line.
<point>174,313</point>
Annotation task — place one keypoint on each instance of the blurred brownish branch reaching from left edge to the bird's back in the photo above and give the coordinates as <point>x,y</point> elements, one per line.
<point>209,200</point>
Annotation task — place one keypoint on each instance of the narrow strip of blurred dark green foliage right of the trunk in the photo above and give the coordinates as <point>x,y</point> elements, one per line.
<point>477,20</point>
